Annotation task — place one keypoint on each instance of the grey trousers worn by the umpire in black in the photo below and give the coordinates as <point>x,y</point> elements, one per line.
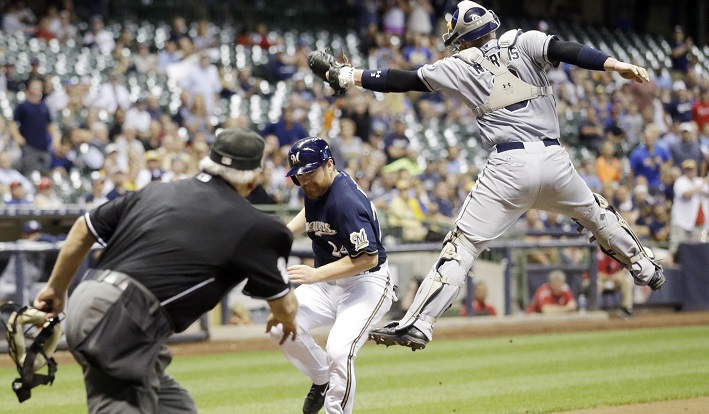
<point>88,305</point>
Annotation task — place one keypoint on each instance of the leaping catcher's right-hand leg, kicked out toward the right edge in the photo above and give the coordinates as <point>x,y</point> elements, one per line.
<point>565,192</point>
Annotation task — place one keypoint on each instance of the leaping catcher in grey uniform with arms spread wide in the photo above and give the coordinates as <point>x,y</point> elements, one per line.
<point>503,81</point>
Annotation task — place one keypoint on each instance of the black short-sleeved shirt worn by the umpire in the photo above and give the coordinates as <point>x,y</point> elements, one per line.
<point>190,241</point>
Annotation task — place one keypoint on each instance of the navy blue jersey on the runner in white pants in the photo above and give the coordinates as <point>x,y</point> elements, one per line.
<point>343,222</point>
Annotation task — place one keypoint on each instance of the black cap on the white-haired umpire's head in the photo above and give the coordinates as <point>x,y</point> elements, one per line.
<point>238,148</point>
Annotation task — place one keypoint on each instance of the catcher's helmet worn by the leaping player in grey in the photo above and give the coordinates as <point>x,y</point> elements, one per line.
<point>470,21</point>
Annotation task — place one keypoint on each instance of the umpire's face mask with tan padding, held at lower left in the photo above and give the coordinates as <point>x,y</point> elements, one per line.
<point>44,335</point>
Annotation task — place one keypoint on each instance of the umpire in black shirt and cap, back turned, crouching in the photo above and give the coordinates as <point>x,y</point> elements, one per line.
<point>172,250</point>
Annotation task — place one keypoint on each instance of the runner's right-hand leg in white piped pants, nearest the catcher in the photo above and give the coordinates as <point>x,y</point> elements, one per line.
<point>363,305</point>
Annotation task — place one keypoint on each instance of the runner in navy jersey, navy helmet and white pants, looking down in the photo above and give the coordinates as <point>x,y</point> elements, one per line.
<point>349,288</point>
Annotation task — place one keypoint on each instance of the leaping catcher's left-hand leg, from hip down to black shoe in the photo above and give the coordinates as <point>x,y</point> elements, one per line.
<point>505,189</point>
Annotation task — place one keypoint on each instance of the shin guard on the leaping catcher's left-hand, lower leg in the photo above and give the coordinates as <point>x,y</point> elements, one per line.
<point>442,284</point>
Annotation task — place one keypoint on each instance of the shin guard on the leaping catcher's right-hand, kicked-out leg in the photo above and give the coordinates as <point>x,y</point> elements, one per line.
<point>618,240</point>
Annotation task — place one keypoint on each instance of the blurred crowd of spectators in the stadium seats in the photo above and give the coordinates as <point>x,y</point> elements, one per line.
<point>92,109</point>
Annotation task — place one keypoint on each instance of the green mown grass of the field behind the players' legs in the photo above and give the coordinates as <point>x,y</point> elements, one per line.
<point>517,374</point>
